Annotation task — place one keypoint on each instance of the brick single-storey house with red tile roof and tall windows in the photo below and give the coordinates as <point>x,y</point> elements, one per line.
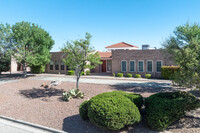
<point>119,58</point>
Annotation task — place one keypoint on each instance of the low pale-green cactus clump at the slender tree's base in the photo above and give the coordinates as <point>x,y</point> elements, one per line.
<point>73,93</point>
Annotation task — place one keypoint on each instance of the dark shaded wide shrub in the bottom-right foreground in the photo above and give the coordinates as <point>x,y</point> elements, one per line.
<point>162,109</point>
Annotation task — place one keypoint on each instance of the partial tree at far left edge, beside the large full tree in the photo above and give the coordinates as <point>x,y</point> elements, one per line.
<point>5,45</point>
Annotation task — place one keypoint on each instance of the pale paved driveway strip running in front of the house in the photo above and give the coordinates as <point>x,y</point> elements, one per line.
<point>92,80</point>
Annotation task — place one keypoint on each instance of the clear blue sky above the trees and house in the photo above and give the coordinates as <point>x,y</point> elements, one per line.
<point>109,21</point>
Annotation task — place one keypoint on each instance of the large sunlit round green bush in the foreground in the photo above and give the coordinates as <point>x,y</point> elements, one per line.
<point>112,112</point>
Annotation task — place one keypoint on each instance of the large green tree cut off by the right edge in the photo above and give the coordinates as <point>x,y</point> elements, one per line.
<point>185,48</point>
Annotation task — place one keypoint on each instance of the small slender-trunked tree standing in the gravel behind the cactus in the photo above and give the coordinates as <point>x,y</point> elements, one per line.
<point>80,55</point>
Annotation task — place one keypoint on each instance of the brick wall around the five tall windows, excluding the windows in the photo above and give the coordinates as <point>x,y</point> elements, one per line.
<point>136,55</point>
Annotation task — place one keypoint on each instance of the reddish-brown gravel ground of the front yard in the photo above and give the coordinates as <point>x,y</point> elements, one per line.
<point>25,100</point>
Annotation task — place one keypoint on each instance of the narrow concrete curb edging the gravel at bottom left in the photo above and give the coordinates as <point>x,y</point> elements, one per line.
<point>36,126</point>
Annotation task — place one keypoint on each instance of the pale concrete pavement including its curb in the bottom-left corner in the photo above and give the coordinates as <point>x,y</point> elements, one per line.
<point>9,125</point>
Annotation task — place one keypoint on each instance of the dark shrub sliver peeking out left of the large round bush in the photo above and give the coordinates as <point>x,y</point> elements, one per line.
<point>83,110</point>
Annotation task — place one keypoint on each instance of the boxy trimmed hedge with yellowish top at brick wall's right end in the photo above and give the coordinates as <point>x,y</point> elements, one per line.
<point>167,72</point>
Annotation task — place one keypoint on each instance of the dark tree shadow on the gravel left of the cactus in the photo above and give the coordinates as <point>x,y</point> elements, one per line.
<point>38,92</point>
